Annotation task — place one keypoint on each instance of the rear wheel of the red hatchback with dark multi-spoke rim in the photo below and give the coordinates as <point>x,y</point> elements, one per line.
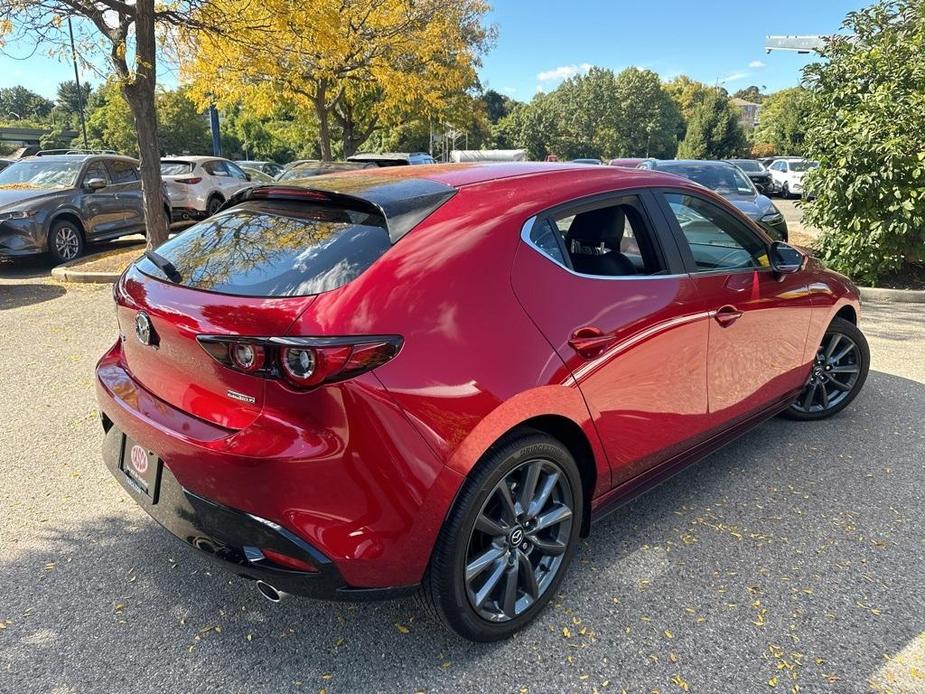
<point>488,554</point>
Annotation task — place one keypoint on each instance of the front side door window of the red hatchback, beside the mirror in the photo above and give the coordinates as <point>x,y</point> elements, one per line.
<point>717,241</point>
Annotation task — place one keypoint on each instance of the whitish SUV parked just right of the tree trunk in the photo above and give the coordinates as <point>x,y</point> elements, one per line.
<point>198,186</point>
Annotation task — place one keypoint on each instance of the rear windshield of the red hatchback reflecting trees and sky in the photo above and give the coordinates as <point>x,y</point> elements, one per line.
<point>274,249</point>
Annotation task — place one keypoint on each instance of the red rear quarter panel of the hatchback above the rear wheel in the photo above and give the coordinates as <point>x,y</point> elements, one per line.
<point>473,365</point>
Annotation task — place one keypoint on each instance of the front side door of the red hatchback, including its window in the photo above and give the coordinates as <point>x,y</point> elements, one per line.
<point>759,319</point>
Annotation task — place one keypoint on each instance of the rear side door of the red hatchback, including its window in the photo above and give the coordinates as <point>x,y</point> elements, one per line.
<point>635,343</point>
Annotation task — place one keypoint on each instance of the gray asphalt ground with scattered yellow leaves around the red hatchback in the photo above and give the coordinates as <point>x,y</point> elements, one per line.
<point>793,557</point>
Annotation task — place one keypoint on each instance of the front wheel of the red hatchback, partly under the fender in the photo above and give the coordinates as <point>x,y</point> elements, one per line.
<point>839,372</point>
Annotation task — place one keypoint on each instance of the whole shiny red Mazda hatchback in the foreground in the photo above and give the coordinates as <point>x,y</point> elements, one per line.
<point>435,378</point>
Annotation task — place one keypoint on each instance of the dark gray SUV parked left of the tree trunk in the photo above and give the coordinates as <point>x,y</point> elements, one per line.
<point>57,203</point>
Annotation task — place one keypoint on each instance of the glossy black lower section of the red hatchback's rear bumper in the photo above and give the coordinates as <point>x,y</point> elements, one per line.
<point>235,538</point>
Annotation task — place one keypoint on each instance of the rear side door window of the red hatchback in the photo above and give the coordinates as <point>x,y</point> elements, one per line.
<point>612,240</point>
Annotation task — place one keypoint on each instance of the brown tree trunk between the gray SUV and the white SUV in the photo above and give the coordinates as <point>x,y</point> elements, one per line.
<point>139,93</point>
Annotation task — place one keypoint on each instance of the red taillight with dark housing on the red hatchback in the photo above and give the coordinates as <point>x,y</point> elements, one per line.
<point>304,362</point>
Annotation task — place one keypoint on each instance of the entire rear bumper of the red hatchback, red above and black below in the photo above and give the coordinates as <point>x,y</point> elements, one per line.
<point>360,488</point>
